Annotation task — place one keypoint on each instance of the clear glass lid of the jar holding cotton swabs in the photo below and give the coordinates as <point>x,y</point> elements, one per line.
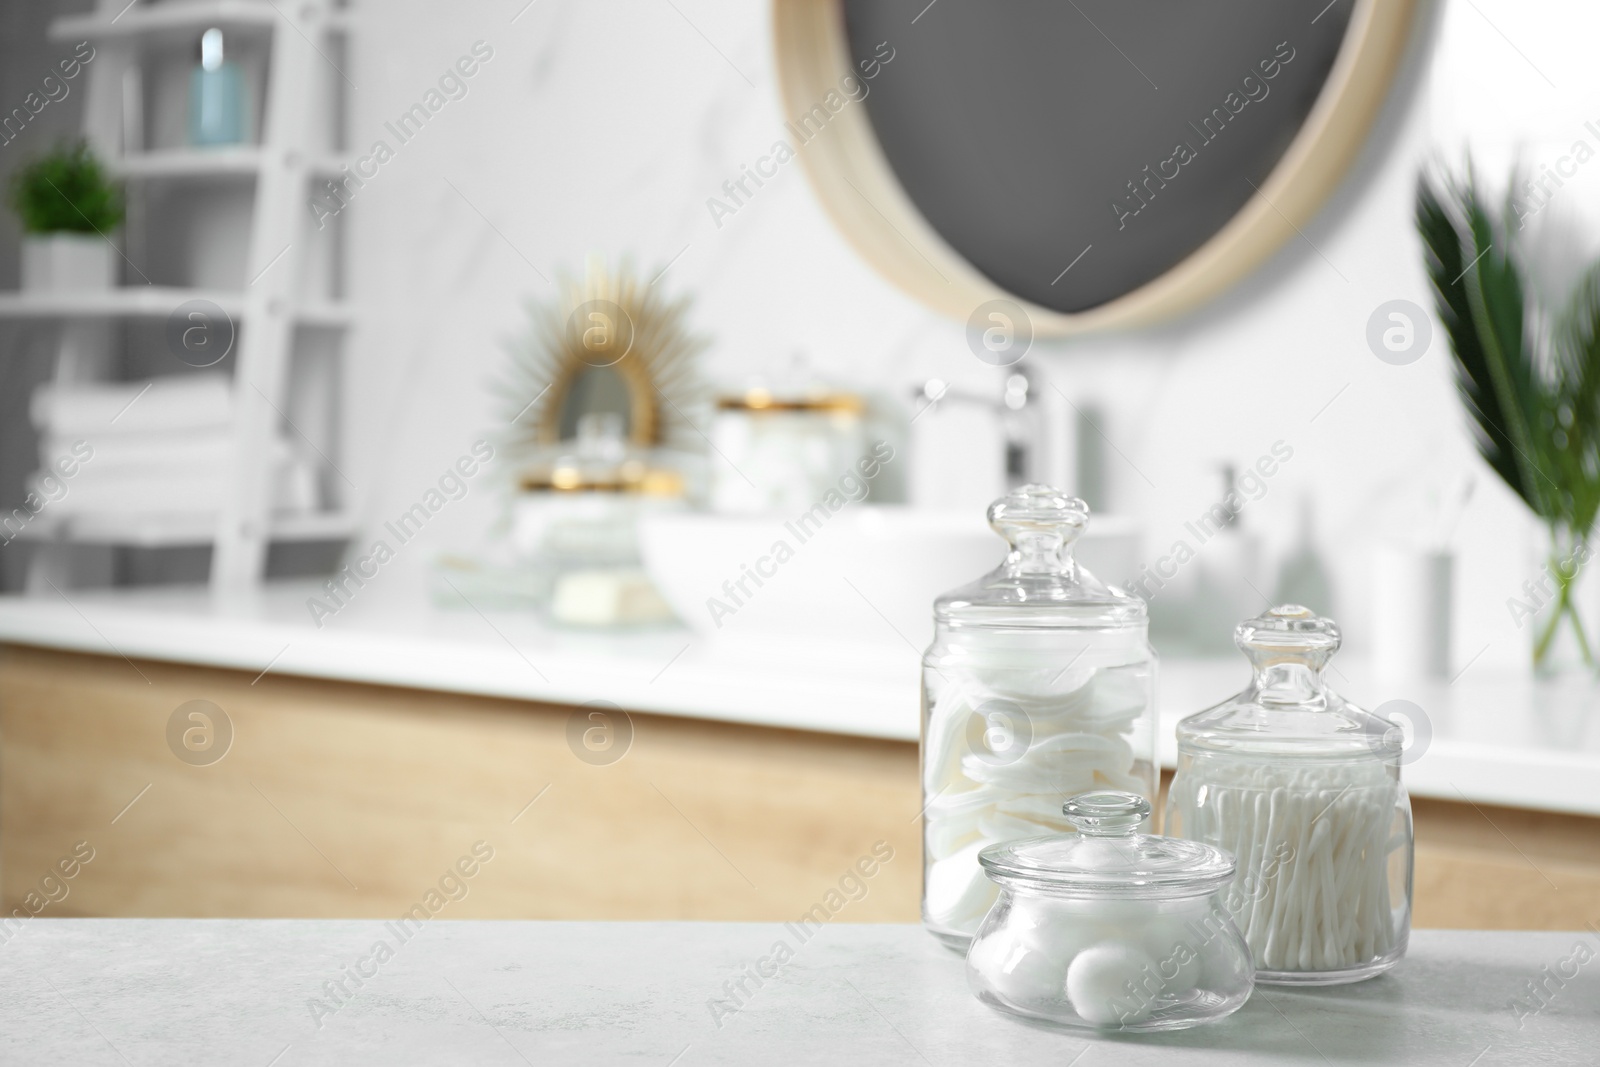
<point>1289,709</point>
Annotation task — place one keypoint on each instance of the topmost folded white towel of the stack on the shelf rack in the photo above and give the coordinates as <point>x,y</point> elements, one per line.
<point>183,402</point>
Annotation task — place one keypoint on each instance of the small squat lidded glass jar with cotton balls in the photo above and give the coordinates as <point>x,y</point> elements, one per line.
<point>1110,929</point>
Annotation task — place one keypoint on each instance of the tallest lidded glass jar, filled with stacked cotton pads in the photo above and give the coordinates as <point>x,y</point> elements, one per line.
<point>1039,685</point>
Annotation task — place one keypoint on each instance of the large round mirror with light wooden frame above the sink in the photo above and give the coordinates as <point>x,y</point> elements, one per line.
<point>1098,162</point>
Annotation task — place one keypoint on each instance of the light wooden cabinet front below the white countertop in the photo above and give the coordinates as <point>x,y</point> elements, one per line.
<point>354,801</point>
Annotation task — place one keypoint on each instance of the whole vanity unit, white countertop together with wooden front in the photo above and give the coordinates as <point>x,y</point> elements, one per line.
<point>751,772</point>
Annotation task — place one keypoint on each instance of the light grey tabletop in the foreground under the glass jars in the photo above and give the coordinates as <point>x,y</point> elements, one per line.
<point>252,993</point>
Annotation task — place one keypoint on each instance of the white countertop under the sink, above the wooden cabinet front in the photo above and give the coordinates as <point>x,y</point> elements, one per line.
<point>1495,738</point>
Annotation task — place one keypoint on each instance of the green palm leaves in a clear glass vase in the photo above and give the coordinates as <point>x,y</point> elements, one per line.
<point>1529,372</point>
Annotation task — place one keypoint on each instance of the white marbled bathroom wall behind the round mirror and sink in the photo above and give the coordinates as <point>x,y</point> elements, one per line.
<point>556,154</point>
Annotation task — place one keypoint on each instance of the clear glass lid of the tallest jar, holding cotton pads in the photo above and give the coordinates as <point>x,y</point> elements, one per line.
<point>1039,585</point>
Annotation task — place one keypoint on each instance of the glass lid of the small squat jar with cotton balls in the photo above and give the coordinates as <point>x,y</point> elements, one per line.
<point>1108,857</point>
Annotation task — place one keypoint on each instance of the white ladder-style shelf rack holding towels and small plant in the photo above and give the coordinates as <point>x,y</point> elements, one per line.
<point>220,225</point>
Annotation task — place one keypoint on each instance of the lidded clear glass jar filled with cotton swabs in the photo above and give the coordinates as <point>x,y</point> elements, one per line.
<point>1305,789</point>
